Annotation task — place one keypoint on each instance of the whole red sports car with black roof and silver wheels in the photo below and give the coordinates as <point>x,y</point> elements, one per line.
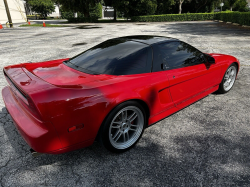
<point>110,92</point>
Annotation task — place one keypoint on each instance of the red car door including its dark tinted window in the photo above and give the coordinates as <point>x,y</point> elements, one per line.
<point>188,72</point>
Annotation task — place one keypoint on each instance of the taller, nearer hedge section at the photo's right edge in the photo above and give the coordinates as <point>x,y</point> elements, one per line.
<point>242,18</point>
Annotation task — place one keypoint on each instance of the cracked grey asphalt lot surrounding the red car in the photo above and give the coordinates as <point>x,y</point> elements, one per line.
<point>205,144</point>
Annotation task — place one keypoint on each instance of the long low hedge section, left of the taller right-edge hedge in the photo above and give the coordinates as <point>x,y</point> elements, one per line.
<point>174,17</point>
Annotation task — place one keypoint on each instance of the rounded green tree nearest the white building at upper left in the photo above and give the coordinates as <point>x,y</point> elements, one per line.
<point>43,7</point>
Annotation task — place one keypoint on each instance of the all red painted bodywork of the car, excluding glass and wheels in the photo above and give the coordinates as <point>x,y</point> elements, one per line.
<point>63,97</point>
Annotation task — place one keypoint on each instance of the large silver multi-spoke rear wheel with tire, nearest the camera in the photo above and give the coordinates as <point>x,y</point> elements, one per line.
<point>123,127</point>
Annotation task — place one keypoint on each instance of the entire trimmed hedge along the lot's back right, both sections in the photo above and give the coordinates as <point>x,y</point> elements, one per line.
<point>242,18</point>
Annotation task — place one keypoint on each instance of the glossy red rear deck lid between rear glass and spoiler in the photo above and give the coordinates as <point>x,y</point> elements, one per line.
<point>56,73</point>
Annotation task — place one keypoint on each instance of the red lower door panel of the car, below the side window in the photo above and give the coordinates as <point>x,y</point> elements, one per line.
<point>186,82</point>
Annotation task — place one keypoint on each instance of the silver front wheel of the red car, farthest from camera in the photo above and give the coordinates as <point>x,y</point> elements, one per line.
<point>228,79</point>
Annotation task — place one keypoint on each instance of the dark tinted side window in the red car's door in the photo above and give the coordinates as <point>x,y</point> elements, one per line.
<point>173,55</point>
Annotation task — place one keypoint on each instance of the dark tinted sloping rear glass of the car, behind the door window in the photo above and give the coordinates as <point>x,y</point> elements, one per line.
<point>114,57</point>
